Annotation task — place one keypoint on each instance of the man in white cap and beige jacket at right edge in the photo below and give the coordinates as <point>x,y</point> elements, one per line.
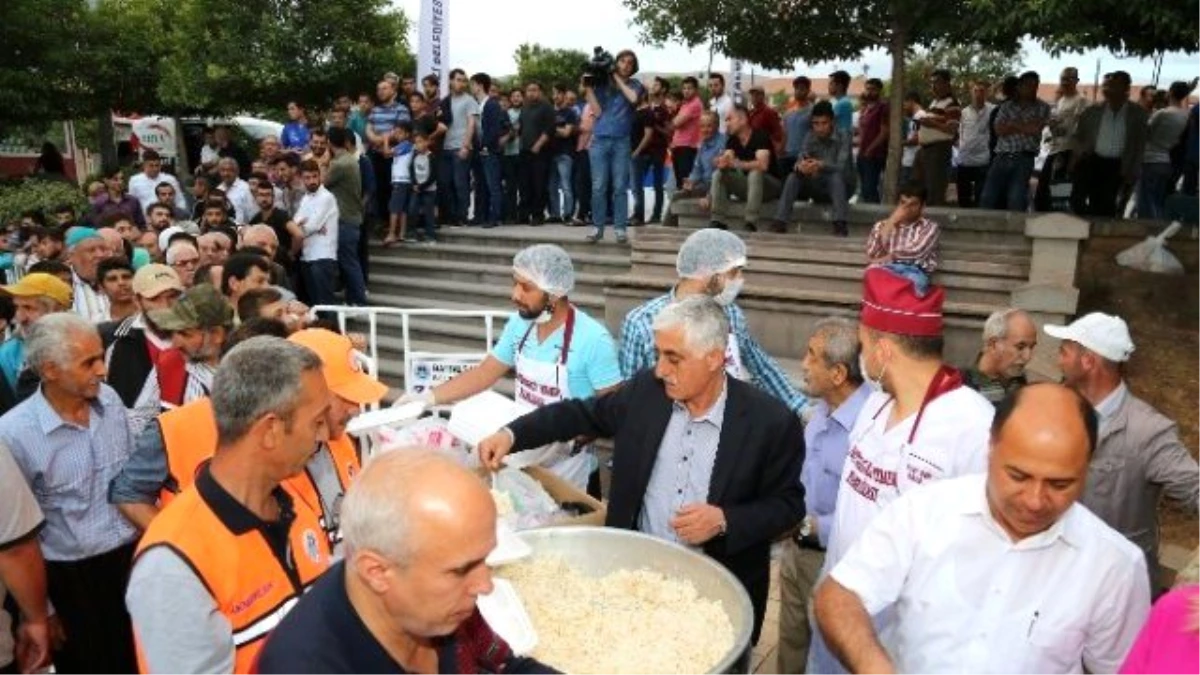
<point>1141,456</point>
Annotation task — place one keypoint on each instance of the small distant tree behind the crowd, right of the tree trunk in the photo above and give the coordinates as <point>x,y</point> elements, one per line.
<point>967,63</point>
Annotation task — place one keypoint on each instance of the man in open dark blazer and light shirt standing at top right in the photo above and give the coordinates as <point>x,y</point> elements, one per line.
<point>1112,139</point>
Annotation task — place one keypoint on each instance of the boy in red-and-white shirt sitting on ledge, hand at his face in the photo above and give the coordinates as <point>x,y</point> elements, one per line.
<point>907,242</point>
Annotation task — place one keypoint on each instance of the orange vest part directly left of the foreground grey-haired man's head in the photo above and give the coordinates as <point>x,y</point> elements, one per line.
<point>190,438</point>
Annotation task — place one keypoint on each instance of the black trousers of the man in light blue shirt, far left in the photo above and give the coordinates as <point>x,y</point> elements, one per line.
<point>89,598</point>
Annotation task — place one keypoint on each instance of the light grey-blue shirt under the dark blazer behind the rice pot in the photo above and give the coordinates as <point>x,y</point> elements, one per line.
<point>683,468</point>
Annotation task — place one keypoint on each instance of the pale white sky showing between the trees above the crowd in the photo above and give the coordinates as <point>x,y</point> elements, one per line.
<point>484,34</point>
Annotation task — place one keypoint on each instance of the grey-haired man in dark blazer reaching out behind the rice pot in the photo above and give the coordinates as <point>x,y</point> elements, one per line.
<point>701,458</point>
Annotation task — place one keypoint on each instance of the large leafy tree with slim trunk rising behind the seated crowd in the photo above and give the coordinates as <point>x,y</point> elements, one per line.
<point>776,34</point>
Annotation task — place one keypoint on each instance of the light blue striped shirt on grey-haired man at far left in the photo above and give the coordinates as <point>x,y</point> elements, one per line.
<point>69,469</point>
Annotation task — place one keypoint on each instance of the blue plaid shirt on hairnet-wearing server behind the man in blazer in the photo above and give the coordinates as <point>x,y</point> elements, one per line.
<point>638,351</point>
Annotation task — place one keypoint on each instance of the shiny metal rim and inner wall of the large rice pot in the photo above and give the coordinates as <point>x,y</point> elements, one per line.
<point>599,551</point>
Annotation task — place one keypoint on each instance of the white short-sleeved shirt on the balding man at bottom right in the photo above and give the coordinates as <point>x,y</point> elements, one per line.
<point>969,600</point>
